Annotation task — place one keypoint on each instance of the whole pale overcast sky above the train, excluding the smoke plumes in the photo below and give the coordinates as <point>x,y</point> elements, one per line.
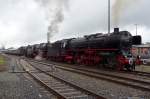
<point>24,22</point>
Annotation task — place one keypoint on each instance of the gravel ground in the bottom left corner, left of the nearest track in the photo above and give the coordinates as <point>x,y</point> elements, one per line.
<point>20,85</point>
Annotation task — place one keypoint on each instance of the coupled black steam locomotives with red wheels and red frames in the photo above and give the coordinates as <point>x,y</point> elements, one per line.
<point>108,50</point>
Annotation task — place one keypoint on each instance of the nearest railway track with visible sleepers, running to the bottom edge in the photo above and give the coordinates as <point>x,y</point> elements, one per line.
<point>58,86</point>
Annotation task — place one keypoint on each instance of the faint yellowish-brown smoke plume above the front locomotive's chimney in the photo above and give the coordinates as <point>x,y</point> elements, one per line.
<point>118,9</point>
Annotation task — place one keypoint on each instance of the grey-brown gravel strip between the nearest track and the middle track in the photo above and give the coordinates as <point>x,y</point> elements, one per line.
<point>104,88</point>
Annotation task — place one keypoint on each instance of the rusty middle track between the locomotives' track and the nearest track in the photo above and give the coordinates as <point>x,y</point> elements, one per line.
<point>135,83</point>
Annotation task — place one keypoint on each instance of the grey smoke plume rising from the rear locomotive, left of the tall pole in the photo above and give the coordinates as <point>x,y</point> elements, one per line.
<point>55,14</point>
